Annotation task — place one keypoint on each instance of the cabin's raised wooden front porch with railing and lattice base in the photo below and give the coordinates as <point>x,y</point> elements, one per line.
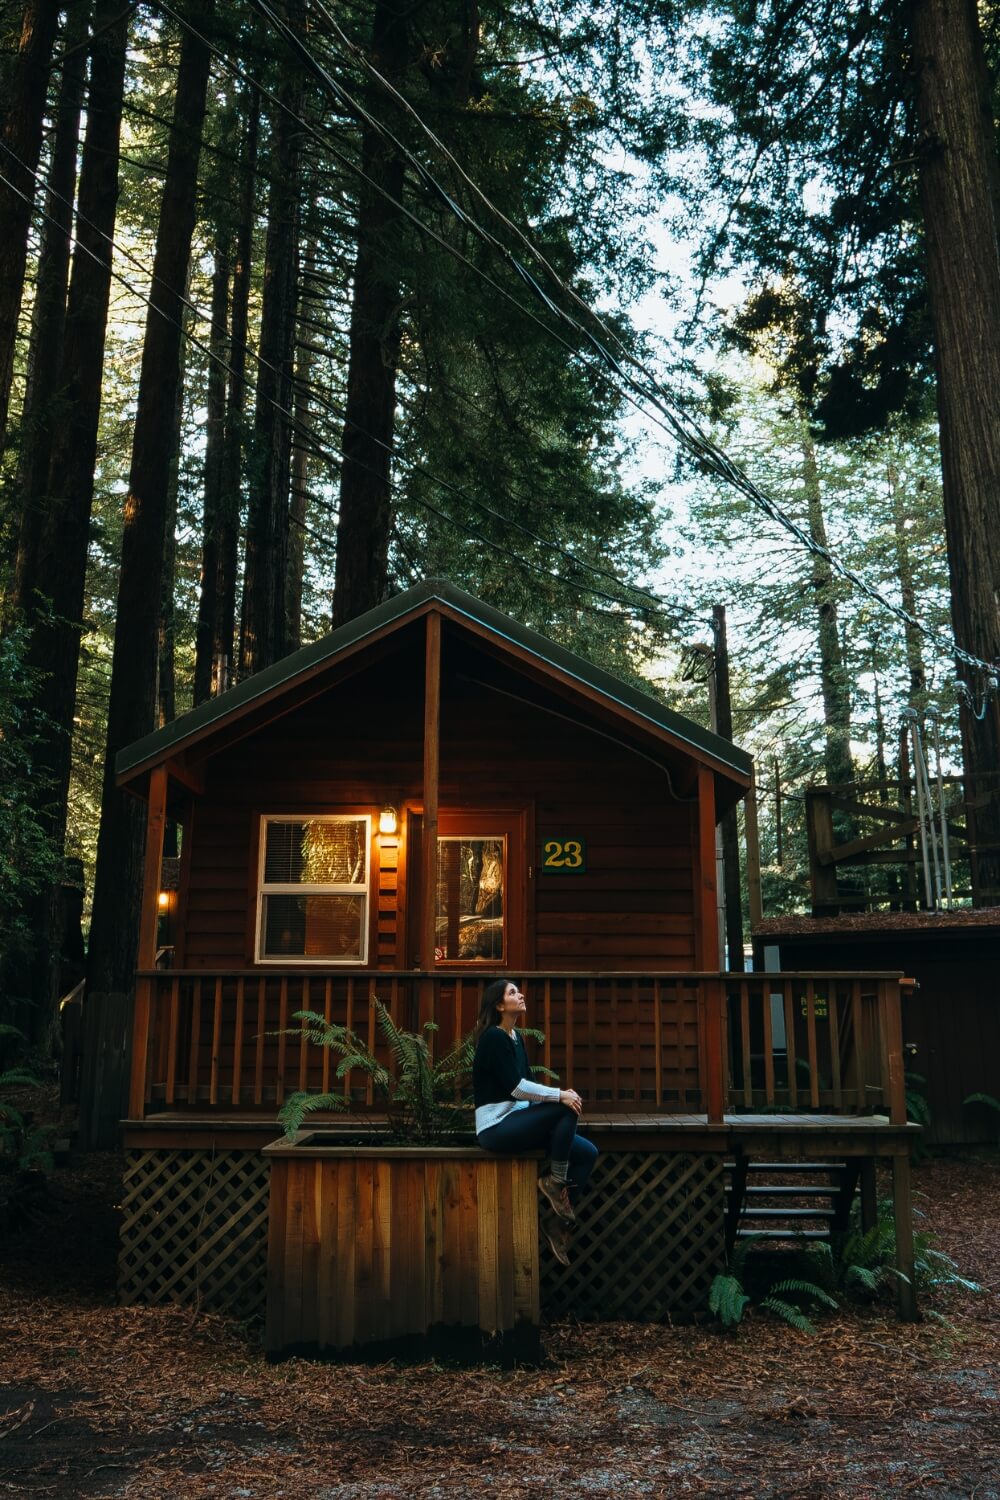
<point>689,1081</point>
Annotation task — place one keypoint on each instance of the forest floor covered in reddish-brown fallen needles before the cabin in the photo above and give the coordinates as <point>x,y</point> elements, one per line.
<point>152,1403</point>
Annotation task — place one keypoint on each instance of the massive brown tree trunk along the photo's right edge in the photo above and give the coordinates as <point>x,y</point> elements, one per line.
<point>959,172</point>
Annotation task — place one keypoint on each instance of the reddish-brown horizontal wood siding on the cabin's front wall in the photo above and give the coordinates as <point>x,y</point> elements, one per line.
<point>361,746</point>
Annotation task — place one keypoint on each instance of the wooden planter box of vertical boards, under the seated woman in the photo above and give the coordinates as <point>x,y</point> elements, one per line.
<point>413,1250</point>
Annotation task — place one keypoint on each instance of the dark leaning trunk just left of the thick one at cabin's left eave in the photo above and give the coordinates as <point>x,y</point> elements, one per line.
<point>62,550</point>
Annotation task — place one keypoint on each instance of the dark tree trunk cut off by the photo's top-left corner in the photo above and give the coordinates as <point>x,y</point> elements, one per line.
<point>22,145</point>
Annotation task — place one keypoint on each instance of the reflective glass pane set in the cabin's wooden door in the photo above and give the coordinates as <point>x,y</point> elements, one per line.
<point>470,914</point>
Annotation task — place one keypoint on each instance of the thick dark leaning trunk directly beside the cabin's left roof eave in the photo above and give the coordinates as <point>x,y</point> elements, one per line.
<point>133,703</point>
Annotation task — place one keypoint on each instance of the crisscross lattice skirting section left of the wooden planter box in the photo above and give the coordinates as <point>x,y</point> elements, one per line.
<point>196,1229</point>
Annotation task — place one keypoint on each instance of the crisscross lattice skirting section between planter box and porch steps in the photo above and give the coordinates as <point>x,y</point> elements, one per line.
<point>648,1243</point>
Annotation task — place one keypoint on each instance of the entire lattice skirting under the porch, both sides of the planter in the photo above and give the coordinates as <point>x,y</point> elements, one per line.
<point>650,1240</point>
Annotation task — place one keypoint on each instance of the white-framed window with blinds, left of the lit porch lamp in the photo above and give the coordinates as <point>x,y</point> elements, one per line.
<point>314,890</point>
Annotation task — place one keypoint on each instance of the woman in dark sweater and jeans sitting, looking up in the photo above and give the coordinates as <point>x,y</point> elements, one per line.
<point>515,1114</point>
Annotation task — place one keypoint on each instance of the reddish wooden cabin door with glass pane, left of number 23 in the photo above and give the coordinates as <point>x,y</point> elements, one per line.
<point>481,899</point>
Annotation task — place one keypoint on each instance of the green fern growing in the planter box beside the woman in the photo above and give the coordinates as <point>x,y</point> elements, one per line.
<point>422,1096</point>
